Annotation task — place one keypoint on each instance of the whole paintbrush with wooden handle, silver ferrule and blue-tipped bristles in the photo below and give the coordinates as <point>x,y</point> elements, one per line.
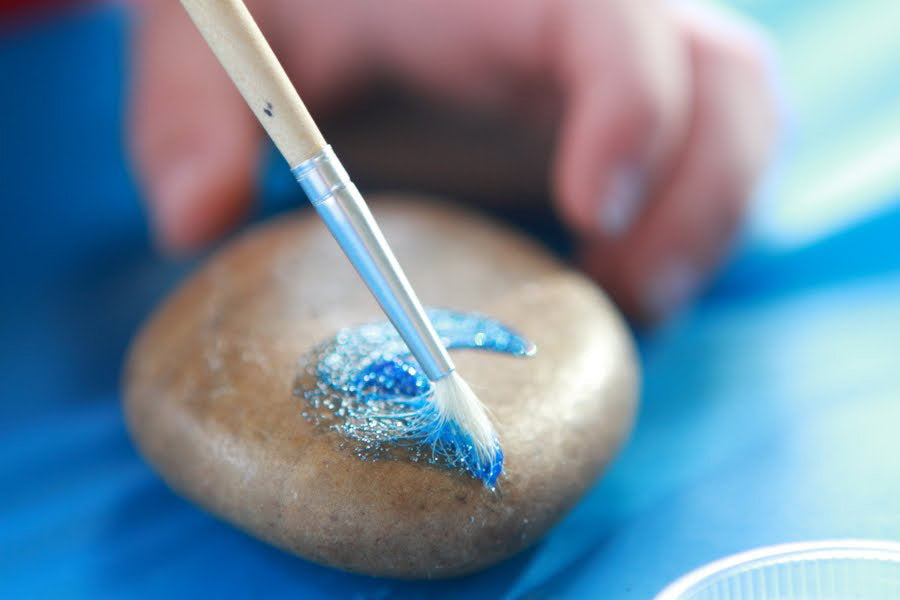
<point>237,42</point>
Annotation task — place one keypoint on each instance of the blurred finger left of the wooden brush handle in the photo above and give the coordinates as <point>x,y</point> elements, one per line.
<point>194,142</point>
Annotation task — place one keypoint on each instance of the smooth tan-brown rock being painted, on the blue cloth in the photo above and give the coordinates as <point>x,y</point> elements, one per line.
<point>210,402</point>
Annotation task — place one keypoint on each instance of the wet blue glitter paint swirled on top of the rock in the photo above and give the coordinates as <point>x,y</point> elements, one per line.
<point>365,384</point>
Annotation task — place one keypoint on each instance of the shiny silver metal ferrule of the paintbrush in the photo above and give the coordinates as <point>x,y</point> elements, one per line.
<point>344,211</point>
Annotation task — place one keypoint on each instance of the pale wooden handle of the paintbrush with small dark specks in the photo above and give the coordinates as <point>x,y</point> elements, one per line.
<point>237,42</point>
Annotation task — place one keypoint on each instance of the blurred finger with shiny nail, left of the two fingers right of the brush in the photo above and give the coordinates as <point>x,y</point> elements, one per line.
<point>625,81</point>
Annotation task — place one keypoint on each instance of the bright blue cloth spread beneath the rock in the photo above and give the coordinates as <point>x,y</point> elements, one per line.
<point>770,412</point>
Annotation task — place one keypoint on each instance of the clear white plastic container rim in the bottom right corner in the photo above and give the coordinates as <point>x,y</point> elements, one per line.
<point>832,569</point>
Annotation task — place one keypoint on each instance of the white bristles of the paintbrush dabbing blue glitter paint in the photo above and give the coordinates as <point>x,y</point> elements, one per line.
<point>457,402</point>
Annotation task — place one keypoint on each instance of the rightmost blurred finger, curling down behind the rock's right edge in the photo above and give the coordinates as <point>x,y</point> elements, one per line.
<point>694,215</point>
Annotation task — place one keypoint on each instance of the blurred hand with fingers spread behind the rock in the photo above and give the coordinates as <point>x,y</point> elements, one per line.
<point>665,117</point>
